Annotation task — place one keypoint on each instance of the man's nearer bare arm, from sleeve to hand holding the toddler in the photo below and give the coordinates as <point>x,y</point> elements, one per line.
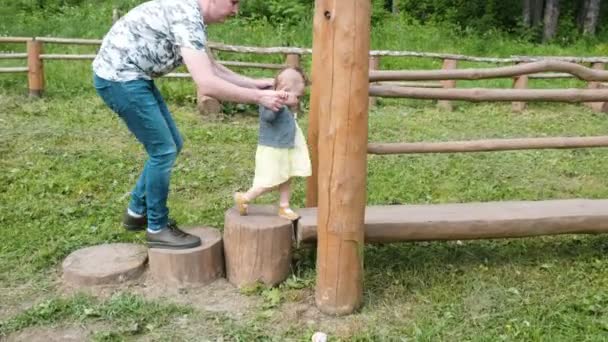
<point>210,84</point>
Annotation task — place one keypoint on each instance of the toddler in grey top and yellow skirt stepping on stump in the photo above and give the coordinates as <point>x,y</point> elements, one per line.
<point>282,152</point>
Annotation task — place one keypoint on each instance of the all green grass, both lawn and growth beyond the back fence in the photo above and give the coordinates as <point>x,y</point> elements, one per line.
<point>68,164</point>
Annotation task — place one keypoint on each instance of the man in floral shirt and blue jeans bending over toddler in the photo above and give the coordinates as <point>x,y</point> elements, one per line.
<point>151,40</point>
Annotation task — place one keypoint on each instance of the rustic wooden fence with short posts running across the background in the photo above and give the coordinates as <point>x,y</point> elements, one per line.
<point>410,84</point>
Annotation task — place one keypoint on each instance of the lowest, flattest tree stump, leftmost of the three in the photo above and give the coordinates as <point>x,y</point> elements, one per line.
<point>104,264</point>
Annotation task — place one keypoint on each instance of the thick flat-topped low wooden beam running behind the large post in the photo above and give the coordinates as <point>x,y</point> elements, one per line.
<point>468,221</point>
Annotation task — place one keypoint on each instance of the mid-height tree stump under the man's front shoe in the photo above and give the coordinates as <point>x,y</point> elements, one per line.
<point>189,267</point>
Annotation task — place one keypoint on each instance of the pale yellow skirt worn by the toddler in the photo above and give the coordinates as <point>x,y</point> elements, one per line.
<point>274,166</point>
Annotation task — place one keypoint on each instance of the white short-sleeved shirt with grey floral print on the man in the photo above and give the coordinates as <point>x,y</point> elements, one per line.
<point>146,42</point>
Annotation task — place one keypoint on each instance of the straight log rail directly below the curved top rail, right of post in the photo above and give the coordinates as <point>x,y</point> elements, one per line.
<point>488,95</point>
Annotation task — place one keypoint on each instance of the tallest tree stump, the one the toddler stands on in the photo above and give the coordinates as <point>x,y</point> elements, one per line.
<point>257,246</point>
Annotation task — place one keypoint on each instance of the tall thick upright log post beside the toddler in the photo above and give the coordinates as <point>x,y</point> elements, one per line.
<point>341,88</point>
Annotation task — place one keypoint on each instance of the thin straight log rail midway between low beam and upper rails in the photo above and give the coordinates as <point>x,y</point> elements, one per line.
<point>488,145</point>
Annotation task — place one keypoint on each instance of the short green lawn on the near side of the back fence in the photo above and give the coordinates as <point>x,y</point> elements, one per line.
<point>70,162</point>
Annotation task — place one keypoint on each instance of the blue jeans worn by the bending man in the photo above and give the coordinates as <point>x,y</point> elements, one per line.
<point>142,108</point>
